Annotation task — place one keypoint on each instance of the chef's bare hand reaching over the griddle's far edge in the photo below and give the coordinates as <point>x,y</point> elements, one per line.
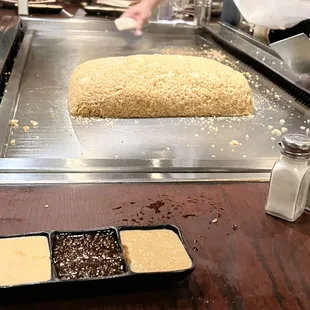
<point>141,12</point>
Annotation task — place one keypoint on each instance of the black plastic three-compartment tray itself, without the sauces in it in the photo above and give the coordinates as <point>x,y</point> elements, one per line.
<point>98,285</point>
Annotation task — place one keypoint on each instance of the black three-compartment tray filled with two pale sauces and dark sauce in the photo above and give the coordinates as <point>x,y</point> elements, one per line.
<point>105,258</point>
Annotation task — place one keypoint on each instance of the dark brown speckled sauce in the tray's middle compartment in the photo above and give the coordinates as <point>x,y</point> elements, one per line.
<point>87,255</point>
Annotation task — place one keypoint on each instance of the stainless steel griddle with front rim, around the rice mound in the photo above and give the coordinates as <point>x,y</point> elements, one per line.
<point>131,149</point>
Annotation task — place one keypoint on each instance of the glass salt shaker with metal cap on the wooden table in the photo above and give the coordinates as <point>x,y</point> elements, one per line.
<point>289,180</point>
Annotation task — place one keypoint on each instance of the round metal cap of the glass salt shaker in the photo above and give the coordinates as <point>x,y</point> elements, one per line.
<point>295,145</point>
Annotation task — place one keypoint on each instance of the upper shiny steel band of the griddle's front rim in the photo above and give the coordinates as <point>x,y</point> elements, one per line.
<point>30,165</point>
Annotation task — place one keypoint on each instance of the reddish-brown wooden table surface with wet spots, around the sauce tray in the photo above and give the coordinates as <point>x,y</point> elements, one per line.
<point>246,260</point>
